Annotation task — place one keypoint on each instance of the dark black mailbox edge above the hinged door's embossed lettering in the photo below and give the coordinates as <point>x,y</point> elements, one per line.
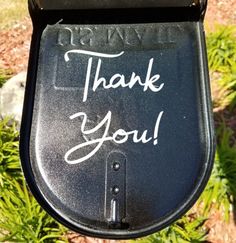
<point>45,12</point>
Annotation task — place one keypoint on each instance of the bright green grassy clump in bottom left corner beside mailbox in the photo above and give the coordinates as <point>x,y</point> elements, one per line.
<point>21,217</point>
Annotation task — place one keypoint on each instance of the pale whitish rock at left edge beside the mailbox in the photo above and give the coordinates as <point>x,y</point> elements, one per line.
<point>12,96</point>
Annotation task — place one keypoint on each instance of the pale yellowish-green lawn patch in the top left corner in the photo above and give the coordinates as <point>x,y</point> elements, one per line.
<point>12,11</point>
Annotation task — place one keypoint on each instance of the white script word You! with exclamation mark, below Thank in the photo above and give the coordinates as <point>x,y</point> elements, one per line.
<point>119,137</point>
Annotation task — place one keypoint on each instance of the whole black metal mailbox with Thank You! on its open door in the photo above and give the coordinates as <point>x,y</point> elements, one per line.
<point>117,137</point>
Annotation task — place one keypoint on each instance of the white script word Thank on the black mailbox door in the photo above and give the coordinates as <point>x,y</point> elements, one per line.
<point>117,80</point>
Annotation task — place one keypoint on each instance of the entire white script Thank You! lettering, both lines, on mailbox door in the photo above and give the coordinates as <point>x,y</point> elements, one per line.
<point>104,126</point>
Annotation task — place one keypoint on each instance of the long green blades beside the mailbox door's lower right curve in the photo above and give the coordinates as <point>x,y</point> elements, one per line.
<point>221,189</point>
